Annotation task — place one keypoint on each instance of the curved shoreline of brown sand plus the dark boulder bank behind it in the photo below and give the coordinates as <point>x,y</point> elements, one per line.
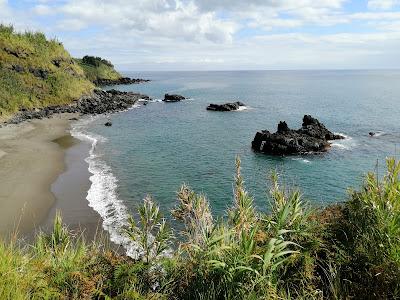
<point>45,167</point>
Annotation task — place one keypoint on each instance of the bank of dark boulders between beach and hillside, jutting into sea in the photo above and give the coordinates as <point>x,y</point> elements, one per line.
<point>99,102</point>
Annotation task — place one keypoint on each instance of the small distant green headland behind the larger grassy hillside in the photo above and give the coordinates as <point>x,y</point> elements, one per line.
<point>96,68</point>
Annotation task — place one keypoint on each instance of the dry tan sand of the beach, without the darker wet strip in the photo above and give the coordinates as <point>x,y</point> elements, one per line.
<point>31,159</point>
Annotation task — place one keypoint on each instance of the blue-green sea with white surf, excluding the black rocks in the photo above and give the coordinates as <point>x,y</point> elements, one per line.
<point>153,149</point>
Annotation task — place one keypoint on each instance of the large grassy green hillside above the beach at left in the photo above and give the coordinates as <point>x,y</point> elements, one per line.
<point>36,72</point>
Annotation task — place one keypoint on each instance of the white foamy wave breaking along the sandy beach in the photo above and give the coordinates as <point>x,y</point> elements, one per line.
<point>102,195</point>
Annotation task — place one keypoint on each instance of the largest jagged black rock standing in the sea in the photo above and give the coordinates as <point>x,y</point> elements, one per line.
<point>312,137</point>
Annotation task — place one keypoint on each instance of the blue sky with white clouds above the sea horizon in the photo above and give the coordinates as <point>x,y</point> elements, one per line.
<point>152,35</point>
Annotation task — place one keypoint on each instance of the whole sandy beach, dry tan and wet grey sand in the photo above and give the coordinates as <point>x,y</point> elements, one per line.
<point>42,170</point>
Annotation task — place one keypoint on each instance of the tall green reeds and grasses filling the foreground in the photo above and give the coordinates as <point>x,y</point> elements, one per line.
<point>349,251</point>
